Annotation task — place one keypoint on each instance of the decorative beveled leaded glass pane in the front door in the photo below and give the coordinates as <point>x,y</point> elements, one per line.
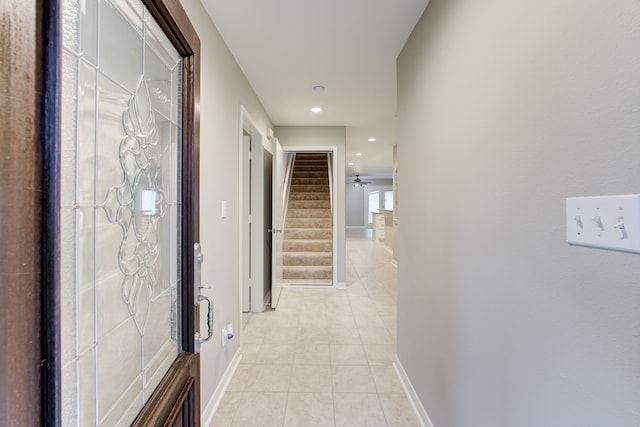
<point>122,216</point>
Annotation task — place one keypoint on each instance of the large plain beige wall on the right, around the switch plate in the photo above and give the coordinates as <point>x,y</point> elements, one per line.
<point>505,109</point>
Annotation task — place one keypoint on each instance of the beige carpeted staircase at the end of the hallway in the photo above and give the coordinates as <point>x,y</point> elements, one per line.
<point>308,232</point>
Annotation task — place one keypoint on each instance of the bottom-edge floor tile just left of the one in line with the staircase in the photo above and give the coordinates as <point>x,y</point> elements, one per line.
<point>261,409</point>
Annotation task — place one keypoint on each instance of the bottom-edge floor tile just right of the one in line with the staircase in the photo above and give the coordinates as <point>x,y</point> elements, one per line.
<point>358,410</point>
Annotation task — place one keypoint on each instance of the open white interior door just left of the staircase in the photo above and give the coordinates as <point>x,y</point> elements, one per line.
<point>278,175</point>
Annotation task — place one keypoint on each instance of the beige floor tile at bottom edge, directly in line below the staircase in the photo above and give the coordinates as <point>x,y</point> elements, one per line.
<point>309,410</point>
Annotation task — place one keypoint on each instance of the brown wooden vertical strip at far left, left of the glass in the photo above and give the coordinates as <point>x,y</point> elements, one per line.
<point>27,277</point>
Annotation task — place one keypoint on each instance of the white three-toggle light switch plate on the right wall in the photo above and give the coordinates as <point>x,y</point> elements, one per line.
<point>605,222</point>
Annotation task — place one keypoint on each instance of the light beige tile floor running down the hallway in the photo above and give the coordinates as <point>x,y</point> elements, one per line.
<point>324,356</point>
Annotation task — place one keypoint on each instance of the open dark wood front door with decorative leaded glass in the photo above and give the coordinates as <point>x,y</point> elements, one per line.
<point>52,346</point>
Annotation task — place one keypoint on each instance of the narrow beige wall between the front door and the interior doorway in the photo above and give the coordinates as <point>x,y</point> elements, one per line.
<point>223,90</point>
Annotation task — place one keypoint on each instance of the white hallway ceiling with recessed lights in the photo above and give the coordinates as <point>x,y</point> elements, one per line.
<point>285,47</point>
